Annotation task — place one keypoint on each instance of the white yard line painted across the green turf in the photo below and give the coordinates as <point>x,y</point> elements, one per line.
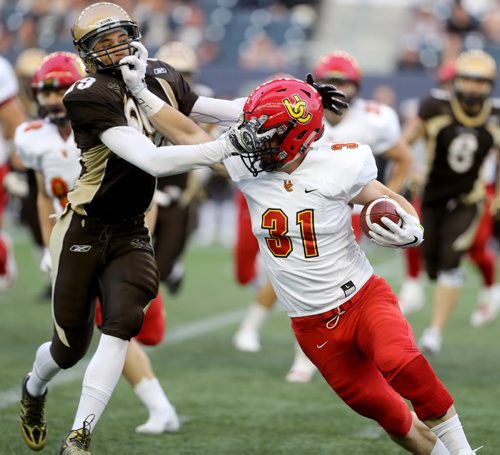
<point>185,332</point>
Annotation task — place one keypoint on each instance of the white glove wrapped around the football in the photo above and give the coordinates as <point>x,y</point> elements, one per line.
<point>409,235</point>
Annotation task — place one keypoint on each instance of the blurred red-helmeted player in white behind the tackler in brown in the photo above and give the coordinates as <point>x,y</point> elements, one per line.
<point>47,146</point>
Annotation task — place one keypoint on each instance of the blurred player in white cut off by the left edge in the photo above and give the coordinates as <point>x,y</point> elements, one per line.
<point>11,115</point>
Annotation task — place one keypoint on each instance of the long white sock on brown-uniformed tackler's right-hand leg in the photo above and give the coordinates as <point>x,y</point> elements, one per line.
<point>101,377</point>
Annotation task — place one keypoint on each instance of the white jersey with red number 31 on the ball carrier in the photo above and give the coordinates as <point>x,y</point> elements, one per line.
<point>302,221</point>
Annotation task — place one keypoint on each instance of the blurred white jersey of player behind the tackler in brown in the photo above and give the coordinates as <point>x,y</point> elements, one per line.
<point>41,148</point>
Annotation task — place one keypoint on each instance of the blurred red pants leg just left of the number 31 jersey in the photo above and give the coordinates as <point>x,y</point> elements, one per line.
<point>246,246</point>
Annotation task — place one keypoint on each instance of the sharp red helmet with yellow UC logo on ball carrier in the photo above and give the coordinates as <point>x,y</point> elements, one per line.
<point>295,109</point>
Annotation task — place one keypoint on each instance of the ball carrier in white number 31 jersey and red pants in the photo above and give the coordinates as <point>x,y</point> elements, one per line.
<point>345,318</point>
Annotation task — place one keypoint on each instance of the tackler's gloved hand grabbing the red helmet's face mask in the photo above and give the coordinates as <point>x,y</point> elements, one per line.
<point>245,136</point>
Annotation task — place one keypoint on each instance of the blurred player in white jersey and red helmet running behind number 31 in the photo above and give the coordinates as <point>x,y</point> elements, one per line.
<point>368,122</point>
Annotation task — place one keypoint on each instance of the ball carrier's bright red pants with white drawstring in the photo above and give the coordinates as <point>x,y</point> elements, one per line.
<point>369,357</point>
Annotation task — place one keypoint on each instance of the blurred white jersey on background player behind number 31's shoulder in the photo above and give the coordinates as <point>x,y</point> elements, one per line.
<point>367,122</point>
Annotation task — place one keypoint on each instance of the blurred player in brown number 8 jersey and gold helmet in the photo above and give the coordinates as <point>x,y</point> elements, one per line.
<point>460,129</point>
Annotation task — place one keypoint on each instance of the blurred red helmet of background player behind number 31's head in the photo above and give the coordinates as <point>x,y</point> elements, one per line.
<point>338,65</point>
